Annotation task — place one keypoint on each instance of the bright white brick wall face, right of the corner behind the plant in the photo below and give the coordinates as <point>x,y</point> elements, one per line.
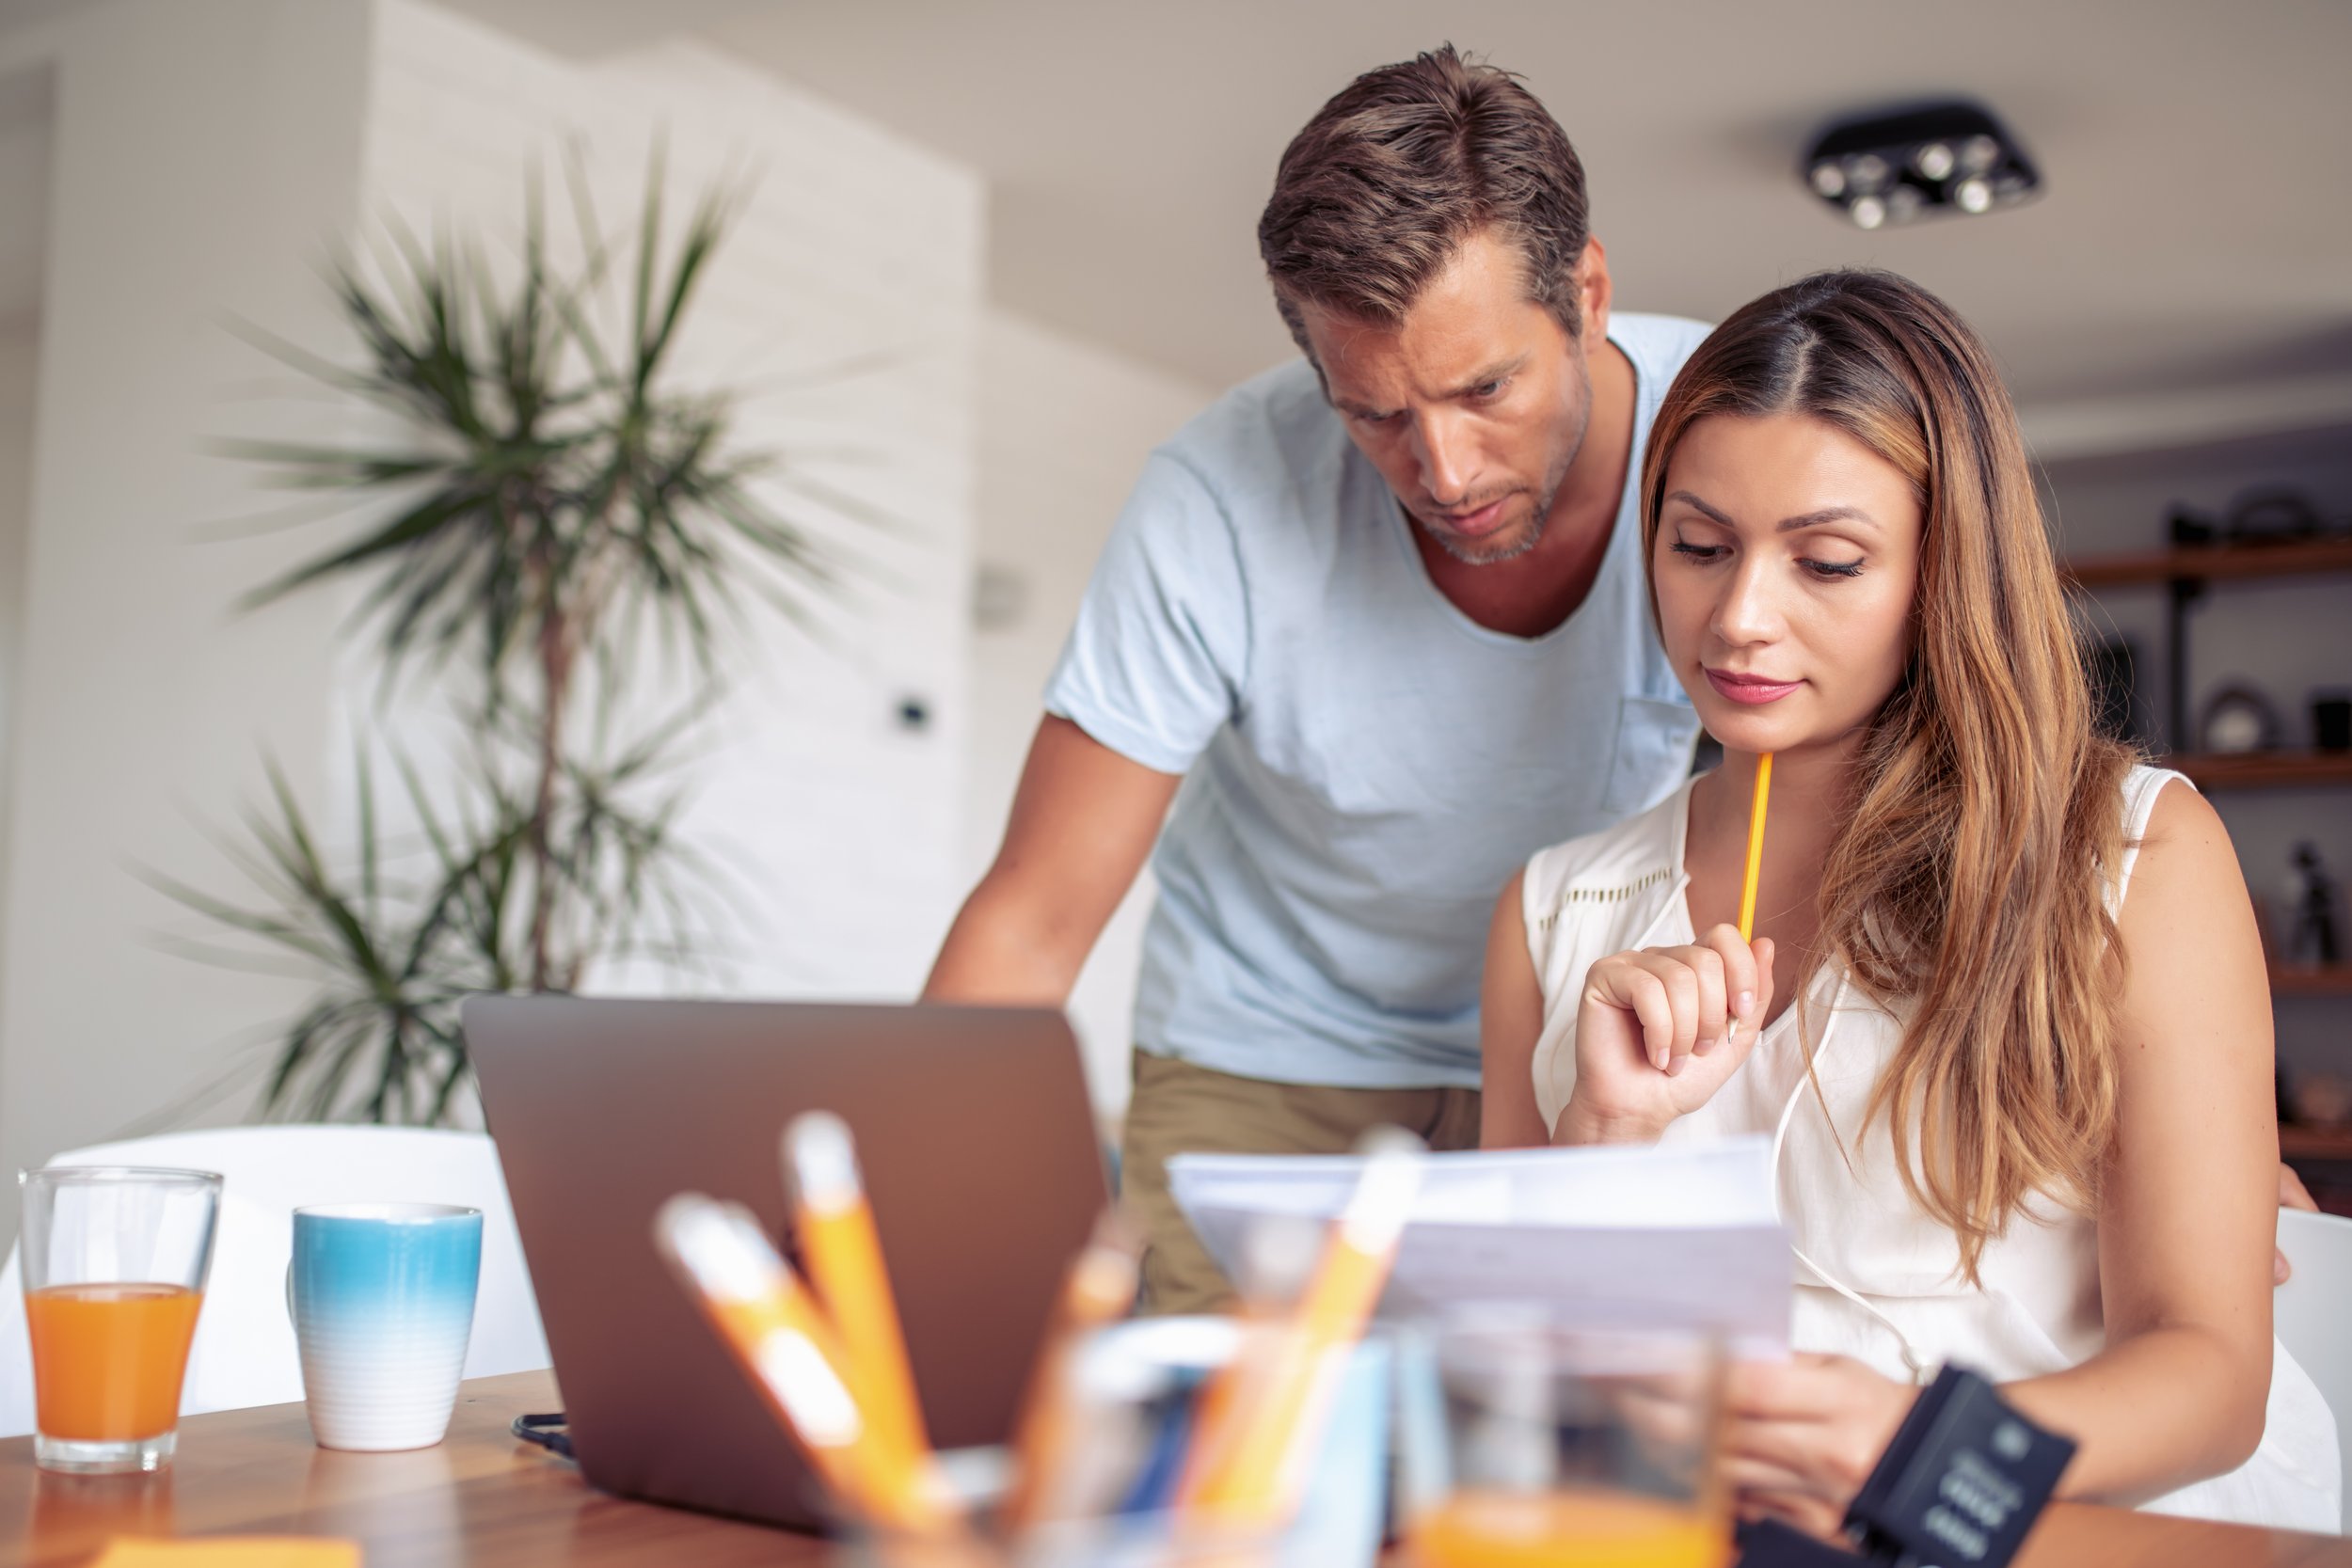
<point>841,824</point>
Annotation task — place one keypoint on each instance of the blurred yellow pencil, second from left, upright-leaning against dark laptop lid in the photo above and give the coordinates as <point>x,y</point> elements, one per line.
<point>846,1266</point>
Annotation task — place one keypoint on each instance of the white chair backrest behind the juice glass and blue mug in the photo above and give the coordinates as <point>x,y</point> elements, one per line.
<point>243,1341</point>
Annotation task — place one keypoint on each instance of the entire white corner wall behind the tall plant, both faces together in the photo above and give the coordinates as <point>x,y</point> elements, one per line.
<point>208,159</point>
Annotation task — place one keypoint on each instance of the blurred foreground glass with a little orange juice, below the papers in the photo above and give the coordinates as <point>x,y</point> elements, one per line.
<point>1530,1442</point>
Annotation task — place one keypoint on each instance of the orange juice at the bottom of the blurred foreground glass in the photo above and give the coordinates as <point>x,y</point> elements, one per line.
<point>1568,1532</point>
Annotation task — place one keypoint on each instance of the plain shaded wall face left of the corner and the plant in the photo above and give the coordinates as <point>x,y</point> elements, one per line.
<point>201,159</point>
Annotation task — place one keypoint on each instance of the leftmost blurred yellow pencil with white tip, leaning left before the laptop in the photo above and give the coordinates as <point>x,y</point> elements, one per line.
<point>794,1358</point>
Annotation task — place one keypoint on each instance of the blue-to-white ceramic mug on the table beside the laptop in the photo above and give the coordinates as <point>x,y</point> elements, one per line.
<point>382,1301</point>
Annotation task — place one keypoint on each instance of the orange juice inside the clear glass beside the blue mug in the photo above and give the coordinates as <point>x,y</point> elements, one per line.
<point>109,1360</point>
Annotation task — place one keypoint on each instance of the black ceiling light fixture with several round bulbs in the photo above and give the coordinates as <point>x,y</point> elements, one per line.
<point>1902,166</point>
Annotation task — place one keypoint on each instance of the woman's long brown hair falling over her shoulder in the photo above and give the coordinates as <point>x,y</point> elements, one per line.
<point>1970,880</point>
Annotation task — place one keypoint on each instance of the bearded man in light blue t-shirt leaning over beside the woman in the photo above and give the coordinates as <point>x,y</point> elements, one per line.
<point>1377,626</point>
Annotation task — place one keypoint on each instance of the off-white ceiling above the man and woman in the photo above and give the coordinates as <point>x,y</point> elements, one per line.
<point>2196,227</point>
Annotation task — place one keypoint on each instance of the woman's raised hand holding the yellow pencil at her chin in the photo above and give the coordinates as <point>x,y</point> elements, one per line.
<point>1659,1031</point>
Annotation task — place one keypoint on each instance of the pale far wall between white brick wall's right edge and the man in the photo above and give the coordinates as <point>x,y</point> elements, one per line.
<point>1064,431</point>
